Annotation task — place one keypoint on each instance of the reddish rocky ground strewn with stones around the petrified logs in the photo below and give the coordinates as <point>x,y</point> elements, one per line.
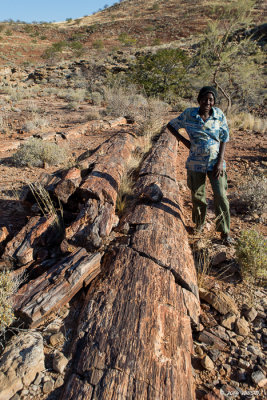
<point>229,359</point>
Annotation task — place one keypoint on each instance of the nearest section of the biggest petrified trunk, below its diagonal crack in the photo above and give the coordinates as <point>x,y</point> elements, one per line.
<point>135,336</point>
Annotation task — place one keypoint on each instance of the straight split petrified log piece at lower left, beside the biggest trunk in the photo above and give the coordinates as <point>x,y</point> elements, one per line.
<point>50,291</point>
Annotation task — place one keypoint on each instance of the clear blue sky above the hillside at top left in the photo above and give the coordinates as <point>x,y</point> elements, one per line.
<point>49,10</point>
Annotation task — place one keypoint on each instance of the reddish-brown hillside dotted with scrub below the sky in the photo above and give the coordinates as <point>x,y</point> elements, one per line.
<point>129,24</point>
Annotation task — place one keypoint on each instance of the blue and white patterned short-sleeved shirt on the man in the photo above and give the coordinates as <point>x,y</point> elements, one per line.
<point>205,137</point>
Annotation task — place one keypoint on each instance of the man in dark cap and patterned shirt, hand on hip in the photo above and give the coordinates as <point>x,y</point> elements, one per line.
<point>207,129</point>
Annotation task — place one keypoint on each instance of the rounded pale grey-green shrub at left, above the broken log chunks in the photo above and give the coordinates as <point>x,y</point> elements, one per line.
<point>36,152</point>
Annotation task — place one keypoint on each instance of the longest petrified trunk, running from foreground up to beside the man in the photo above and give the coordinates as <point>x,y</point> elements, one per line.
<point>135,338</point>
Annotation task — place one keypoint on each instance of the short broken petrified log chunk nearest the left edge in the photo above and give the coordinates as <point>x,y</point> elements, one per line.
<point>39,232</point>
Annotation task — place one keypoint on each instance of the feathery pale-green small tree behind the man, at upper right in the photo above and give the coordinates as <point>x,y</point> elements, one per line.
<point>227,57</point>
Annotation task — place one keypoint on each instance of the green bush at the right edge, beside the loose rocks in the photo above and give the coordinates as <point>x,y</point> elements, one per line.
<point>251,253</point>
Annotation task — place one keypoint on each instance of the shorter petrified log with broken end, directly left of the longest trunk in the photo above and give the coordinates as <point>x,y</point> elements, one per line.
<point>99,192</point>
